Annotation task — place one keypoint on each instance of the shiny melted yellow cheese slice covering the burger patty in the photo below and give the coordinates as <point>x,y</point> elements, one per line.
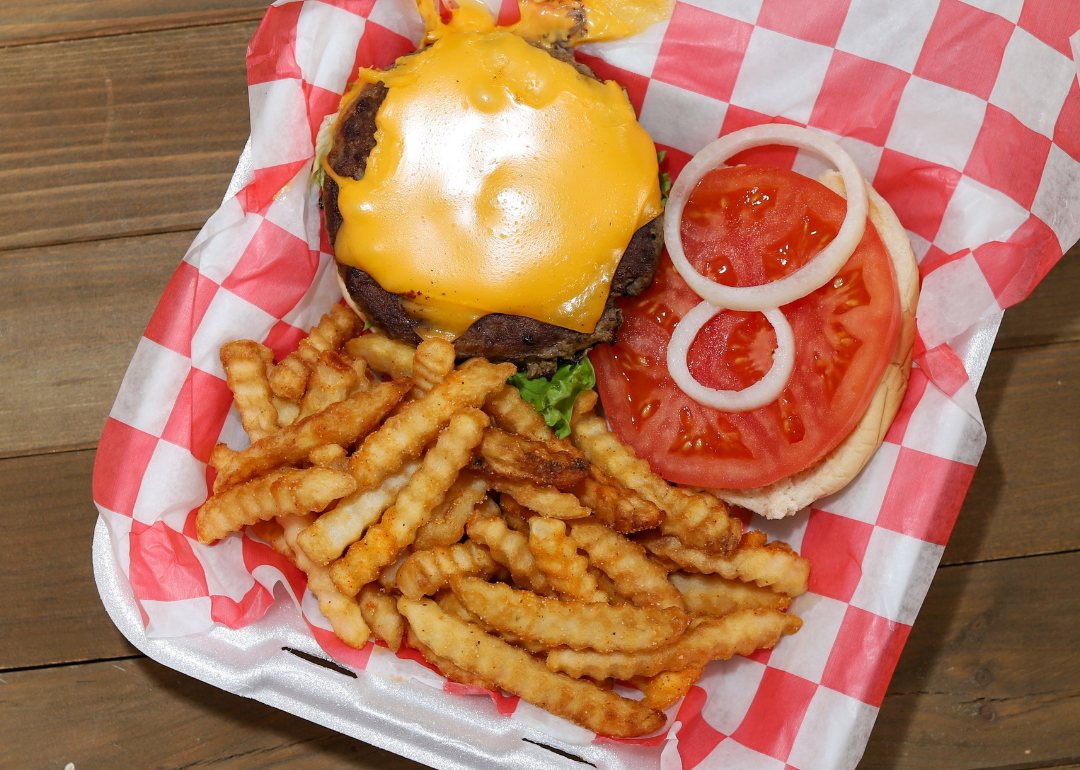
<point>503,182</point>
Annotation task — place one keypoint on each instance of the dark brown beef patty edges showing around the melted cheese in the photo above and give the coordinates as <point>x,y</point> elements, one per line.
<point>537,348</point>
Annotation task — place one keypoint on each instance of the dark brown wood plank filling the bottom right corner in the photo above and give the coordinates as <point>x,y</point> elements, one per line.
<point>991,674</point>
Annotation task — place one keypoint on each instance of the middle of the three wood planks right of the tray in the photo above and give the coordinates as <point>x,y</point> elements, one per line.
<point>1025,497</point>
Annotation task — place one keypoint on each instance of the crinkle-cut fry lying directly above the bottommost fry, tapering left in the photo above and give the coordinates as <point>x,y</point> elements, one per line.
<point>573,625</point>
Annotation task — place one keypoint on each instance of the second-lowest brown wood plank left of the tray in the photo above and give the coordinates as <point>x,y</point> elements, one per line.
<point>50,612</point>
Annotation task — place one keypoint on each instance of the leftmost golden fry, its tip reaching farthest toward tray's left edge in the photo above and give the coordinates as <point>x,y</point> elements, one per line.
<point>279,493</point>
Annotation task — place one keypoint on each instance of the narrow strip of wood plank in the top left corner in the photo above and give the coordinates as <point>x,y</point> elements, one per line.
<point>24,22</point>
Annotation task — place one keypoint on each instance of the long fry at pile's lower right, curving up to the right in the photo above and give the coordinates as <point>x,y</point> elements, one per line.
<point>708,640</point>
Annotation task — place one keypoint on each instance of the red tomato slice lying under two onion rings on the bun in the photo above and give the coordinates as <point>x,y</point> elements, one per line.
<point>744,227</point>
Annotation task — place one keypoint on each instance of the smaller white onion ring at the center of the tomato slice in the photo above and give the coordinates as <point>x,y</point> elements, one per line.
<point>763,393</point>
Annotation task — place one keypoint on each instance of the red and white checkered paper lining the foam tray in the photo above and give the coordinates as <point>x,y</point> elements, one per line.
<point>966,117</point>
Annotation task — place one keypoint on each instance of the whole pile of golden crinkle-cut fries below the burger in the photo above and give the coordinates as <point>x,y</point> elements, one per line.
<point>430,506</point>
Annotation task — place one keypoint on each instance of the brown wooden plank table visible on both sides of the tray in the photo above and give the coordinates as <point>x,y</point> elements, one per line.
<point>121,123</point>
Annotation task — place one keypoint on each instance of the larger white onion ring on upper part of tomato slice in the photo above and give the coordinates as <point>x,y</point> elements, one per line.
<point>811,277</point>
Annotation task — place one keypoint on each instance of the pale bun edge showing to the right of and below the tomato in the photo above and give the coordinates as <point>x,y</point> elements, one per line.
<point>840,467</point>
